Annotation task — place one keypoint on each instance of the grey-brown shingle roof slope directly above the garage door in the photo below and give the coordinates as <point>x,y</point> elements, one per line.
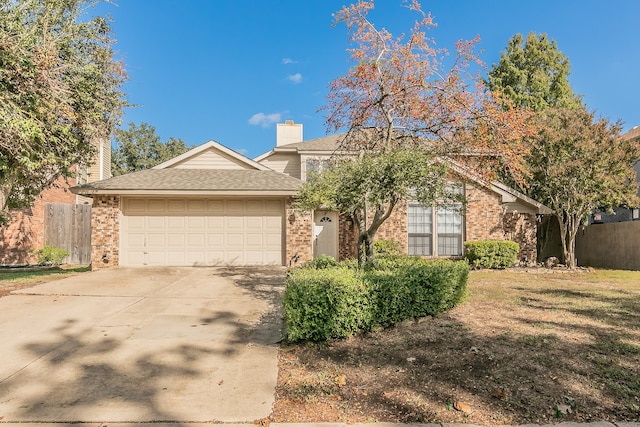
<point>241,180</point>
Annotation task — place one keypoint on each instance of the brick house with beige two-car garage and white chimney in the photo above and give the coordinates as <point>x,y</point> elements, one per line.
<point>214,206</point>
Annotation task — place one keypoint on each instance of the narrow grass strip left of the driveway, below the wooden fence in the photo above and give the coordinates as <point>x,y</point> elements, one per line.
<point>12,279</point>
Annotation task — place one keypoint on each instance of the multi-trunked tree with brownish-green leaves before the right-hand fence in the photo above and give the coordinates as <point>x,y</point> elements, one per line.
<point>581,164</point>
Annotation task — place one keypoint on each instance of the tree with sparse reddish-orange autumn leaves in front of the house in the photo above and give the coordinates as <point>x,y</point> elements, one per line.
<point>401,94</point>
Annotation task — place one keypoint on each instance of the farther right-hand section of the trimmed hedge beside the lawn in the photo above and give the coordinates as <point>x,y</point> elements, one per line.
<point>415,288</point>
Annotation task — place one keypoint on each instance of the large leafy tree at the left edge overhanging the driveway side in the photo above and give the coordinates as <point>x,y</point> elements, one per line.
<point>60,89</point>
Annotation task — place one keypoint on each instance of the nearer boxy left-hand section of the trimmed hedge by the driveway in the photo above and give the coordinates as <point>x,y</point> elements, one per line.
<point>325,303</point>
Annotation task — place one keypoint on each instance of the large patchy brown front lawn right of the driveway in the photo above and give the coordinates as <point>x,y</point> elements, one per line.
<point>525,347</point>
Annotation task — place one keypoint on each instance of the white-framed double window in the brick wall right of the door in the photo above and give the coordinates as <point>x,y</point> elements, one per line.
<point>426,222</point>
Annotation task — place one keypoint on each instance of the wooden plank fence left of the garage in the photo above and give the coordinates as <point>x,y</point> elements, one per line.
<point>69,227</point>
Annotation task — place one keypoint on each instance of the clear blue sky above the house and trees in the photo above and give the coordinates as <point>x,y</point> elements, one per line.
<point>227,70</point>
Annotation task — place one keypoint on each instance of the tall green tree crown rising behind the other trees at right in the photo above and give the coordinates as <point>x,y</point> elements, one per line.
<point>533,74</point>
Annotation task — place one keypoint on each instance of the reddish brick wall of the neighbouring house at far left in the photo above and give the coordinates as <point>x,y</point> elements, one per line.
<point>25,230</point>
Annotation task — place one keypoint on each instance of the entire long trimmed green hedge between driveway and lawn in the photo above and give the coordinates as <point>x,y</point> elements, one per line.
<point>336,302</point>
